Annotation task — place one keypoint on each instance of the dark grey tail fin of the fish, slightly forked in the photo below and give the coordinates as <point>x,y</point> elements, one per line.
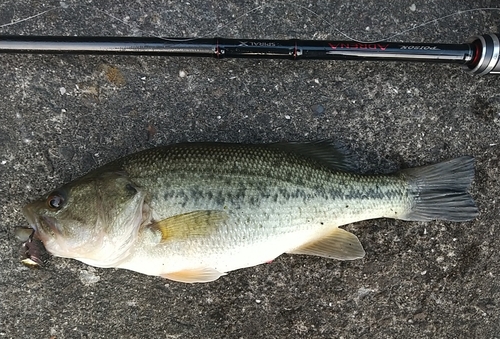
<point>440,191</point>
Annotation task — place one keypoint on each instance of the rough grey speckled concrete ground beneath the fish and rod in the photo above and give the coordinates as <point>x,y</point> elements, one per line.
<point>63,115</point>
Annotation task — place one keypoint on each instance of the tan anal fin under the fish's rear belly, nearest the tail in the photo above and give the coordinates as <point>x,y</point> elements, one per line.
<point>339,244</point>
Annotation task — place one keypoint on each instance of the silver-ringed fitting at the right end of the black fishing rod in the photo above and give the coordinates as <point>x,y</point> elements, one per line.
<point>486,54</point>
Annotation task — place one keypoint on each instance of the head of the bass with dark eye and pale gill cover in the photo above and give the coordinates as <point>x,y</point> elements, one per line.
<point>94,219</point>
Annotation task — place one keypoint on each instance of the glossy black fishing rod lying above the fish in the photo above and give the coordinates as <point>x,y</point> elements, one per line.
<point>478,56</point>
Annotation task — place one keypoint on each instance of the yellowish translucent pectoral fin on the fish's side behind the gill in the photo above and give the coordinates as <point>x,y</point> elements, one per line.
<point>192,224</point>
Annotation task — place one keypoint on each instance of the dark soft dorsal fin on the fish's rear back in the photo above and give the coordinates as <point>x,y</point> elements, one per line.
<point>327,152</point>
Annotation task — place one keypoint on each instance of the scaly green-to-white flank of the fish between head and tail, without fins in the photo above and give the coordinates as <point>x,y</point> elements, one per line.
<point>295,191</point>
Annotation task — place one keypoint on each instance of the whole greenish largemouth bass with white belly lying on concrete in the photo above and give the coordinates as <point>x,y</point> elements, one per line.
<point>192,212</point>
